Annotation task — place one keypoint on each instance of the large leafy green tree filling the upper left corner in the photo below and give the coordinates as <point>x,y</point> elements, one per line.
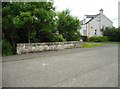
<point>25,21</point>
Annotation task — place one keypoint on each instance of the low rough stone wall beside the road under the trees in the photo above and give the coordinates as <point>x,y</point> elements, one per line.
<point>39,47</point>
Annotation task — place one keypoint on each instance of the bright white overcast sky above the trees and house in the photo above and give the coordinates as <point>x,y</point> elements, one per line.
<point>80,8</point>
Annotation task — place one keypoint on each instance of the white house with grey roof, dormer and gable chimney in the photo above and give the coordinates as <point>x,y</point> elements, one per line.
<point>91,25</point>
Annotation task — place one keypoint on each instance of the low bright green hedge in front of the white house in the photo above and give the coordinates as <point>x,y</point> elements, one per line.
<point>98,39</point>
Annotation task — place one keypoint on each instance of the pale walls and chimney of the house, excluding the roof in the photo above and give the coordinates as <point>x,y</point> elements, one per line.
<point>94,26</point>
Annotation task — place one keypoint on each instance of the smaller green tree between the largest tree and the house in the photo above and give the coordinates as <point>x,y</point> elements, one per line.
<point>68,26</point>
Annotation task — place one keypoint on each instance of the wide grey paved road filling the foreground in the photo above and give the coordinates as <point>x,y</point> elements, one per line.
<point>81,67</point>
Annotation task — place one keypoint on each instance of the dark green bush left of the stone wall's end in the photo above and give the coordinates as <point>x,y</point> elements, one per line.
<point>7,48</point>
